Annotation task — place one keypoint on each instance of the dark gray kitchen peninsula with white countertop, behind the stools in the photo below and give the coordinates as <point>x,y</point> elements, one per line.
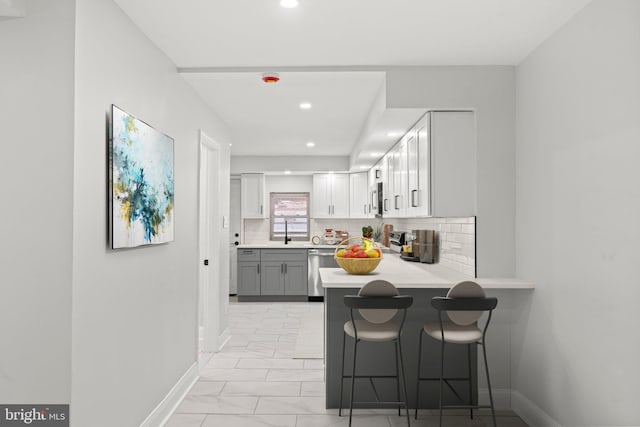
<point>422,281</point>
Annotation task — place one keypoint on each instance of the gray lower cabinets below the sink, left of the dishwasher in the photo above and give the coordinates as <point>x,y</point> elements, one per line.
<point>272,273</point>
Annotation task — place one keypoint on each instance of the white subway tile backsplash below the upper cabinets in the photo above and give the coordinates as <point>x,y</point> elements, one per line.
<point>456,235</point>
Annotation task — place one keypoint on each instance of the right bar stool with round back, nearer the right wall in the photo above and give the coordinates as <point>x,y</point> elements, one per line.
<point>464,304</point>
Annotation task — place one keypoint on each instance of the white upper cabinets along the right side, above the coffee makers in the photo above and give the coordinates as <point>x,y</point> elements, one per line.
<point>431,171</point>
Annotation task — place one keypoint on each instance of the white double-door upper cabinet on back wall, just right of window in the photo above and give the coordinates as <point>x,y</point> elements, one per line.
<point>330,195</point>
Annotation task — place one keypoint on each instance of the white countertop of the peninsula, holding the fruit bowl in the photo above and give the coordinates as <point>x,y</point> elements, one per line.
<point>405,274</point>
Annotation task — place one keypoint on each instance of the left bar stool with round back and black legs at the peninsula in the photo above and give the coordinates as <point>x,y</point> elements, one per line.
<point>378,303</point>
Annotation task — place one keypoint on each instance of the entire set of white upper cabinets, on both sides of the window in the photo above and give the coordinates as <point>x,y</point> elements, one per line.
<point>431,171</point>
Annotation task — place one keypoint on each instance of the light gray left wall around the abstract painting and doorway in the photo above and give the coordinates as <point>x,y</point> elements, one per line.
<point>134,311</point>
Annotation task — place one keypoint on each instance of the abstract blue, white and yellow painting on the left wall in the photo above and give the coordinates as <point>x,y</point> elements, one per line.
<point>141,183</point>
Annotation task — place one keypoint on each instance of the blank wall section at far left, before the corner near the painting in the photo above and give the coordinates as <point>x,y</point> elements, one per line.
<point>36,124</point>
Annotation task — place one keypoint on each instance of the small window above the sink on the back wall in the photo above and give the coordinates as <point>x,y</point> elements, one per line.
<point>290,210</point>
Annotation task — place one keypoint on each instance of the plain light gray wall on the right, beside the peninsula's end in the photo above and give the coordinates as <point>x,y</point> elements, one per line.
<point>577,227</point>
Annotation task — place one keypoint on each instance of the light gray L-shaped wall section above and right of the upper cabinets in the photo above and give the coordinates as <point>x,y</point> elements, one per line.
<point>490,91</point>
